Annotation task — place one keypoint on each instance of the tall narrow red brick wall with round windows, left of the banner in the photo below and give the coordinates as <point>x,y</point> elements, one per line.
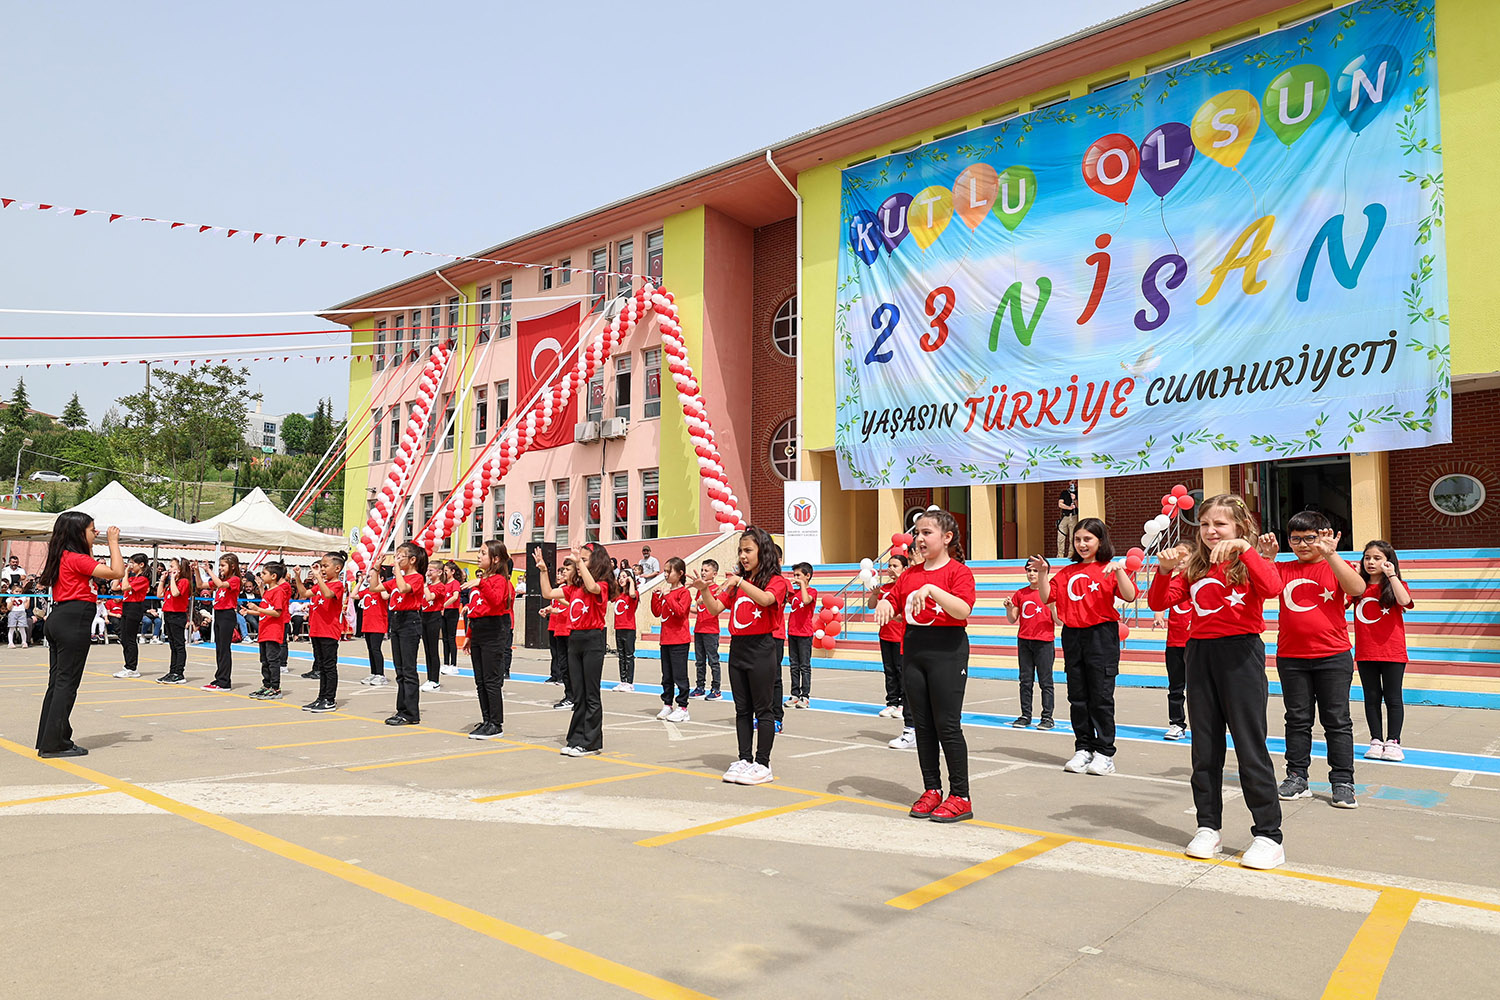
<point>775,374</point>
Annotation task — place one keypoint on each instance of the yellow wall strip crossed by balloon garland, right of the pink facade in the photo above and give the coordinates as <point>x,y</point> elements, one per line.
<point>683,275</point>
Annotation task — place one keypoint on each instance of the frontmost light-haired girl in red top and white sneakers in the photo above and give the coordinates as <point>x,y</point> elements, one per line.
<point>1226,582</point>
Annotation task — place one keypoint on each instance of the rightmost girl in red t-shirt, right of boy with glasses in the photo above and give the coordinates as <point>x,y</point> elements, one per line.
<point>1381,647</point>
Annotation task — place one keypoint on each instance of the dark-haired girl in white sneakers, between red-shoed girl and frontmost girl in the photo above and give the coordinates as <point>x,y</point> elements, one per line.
<point>1091,639</point>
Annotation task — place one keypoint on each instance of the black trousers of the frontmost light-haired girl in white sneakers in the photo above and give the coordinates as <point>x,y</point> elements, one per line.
<point>1228,690</point>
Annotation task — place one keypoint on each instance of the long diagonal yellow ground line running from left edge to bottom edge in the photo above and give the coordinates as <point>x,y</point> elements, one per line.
<point>557,953</point>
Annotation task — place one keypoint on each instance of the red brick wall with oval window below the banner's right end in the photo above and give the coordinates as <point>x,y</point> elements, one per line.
<point>1475,452</point>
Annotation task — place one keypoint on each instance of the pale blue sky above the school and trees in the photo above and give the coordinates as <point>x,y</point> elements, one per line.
<point>448,128</point>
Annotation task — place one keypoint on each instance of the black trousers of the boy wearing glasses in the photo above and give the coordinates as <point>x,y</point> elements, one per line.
<point>1322,684</point>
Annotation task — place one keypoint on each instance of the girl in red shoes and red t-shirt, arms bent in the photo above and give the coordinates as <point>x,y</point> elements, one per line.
<point>937,599</point>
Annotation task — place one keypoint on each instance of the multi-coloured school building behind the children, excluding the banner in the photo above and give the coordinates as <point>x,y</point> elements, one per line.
<point>751,251</point>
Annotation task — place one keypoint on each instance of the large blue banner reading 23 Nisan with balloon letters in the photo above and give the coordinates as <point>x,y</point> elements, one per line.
<point>1235,259</point>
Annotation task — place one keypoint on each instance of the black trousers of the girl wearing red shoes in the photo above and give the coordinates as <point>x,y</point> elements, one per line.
<point>935,671</point>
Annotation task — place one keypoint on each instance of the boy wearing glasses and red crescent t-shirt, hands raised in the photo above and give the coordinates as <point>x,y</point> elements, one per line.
<point>1315,657</point>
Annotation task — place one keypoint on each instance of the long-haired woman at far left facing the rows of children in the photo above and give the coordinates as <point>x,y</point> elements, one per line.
<point>71,572</point>
